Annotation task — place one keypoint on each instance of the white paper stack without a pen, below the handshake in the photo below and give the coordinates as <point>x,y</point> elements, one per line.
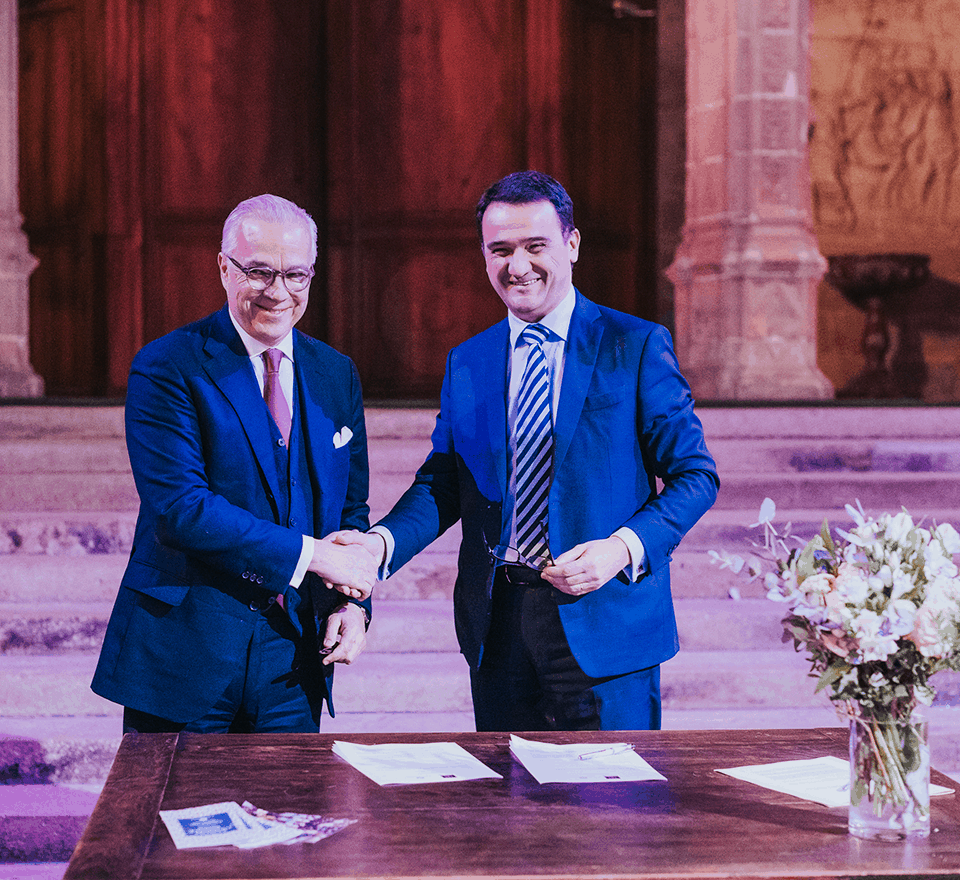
<point>412,763</point>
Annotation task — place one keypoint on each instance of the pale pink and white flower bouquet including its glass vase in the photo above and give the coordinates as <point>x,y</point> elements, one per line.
<point>878,610</point>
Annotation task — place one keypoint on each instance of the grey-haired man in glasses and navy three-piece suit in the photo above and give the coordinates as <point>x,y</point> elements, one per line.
<point>248,446</point>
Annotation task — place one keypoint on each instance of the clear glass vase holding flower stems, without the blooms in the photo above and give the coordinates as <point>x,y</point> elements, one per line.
<point>889,776</point>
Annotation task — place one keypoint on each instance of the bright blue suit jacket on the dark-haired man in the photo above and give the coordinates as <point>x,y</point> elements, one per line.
<point>625,418</point>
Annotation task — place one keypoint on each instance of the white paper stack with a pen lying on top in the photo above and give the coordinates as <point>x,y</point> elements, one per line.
<point>582,762</point>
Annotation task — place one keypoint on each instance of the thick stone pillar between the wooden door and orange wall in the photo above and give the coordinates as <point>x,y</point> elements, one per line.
<point>747,270</point>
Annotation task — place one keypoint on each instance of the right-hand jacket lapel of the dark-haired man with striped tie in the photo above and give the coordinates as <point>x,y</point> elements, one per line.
<point>583,346</point>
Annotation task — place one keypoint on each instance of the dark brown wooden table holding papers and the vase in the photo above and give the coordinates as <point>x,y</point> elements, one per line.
<point>697,824</point>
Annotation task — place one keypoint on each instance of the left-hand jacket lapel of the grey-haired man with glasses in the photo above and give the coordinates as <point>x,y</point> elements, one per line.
<point>229,367</point>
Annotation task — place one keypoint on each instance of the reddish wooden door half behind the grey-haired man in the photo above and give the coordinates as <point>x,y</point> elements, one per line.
<point>142,125</point>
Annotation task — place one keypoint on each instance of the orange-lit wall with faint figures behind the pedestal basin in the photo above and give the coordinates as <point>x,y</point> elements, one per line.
<point>885,165</point>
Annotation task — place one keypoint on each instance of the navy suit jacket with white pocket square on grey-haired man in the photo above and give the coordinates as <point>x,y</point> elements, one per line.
<point>209,533</point>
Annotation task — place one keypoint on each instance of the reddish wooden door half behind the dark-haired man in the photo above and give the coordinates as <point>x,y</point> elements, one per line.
<point>420,123</point>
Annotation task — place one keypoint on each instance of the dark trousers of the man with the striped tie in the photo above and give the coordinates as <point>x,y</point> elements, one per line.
<point>529,679</point>
